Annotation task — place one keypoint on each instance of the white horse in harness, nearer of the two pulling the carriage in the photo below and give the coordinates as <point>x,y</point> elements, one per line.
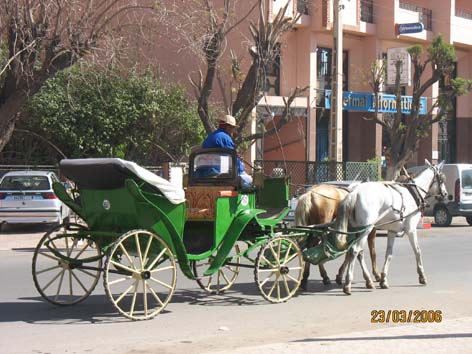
<point>395,207</point>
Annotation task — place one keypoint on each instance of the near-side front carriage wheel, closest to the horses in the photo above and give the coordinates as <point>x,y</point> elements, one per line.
<point>279,269</point>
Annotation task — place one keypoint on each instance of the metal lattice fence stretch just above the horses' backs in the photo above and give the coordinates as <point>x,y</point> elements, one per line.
<point>307,173</point>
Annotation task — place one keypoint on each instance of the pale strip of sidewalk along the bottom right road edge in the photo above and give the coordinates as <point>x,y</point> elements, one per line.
<point>449,337</point>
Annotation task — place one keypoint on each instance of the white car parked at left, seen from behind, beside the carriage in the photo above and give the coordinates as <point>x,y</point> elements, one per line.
<point>26,197</point>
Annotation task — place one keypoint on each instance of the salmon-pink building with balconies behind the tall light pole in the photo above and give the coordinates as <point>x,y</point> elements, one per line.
<point>369,31</point>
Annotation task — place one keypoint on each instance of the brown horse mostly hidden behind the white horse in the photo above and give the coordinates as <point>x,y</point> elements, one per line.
<point>318,206</point>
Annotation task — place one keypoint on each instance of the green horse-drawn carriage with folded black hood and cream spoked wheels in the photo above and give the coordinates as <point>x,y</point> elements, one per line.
<point>138,227</point>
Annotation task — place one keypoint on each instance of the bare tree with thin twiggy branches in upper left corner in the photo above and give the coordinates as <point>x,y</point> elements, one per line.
<point>41,37</point>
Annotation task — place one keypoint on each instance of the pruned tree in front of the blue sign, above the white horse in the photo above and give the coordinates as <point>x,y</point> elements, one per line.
<point>404,134</point>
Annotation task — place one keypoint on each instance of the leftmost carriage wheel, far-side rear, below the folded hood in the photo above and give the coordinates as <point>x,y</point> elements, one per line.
<point>57,265</point>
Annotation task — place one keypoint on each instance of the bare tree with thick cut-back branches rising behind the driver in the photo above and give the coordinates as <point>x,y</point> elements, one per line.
<point>204,28</point>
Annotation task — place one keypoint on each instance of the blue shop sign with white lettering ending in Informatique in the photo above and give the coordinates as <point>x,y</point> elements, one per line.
<point>361,101</point>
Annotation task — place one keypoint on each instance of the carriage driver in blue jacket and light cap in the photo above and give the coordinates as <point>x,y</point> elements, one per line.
<point>221,138</point>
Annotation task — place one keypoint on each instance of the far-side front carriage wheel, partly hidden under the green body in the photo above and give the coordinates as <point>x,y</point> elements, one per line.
<point>222,280</point>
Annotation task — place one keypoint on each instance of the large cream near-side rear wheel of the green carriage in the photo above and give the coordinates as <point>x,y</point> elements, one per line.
<point>140,274</point>
